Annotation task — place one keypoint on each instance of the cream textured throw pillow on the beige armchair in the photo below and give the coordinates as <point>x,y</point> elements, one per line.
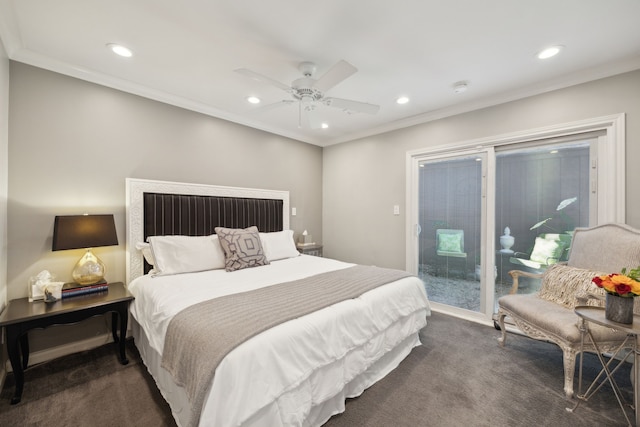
<point>561,283</point>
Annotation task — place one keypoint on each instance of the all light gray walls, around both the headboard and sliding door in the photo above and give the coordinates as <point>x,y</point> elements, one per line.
<point>71,145</point>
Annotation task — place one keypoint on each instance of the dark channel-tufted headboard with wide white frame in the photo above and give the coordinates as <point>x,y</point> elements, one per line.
<point>156,208</point>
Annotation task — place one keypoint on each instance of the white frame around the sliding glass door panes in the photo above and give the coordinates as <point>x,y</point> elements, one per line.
<point>609,181</point>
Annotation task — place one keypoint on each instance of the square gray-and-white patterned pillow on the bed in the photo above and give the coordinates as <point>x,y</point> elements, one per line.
<point>242,248</point>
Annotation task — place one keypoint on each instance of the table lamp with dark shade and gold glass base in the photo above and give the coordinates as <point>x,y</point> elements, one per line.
<point>85,232</point>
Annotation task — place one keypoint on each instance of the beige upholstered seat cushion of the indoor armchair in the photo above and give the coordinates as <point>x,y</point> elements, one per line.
<point>553,318</point>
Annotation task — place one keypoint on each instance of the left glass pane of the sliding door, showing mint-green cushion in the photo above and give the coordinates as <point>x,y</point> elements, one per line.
<point>449,218</point>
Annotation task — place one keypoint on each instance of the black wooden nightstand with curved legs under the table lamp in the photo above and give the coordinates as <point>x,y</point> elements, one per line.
<point>20,316</point>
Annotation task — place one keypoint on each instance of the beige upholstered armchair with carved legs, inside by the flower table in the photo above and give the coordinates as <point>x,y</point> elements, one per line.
<point>549,315</point>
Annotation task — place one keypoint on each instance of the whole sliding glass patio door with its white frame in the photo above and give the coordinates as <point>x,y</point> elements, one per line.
<point>484,209</point>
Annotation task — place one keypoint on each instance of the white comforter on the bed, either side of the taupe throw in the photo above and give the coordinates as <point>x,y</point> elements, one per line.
<point>283,375</point>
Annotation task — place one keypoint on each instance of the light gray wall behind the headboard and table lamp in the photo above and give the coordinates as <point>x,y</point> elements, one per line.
<point>73,143</point>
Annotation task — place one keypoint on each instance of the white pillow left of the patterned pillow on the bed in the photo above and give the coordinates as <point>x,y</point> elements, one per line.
<point>186,254</point>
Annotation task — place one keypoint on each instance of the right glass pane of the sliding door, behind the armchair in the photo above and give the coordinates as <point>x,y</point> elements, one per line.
<point>542,194</point>
